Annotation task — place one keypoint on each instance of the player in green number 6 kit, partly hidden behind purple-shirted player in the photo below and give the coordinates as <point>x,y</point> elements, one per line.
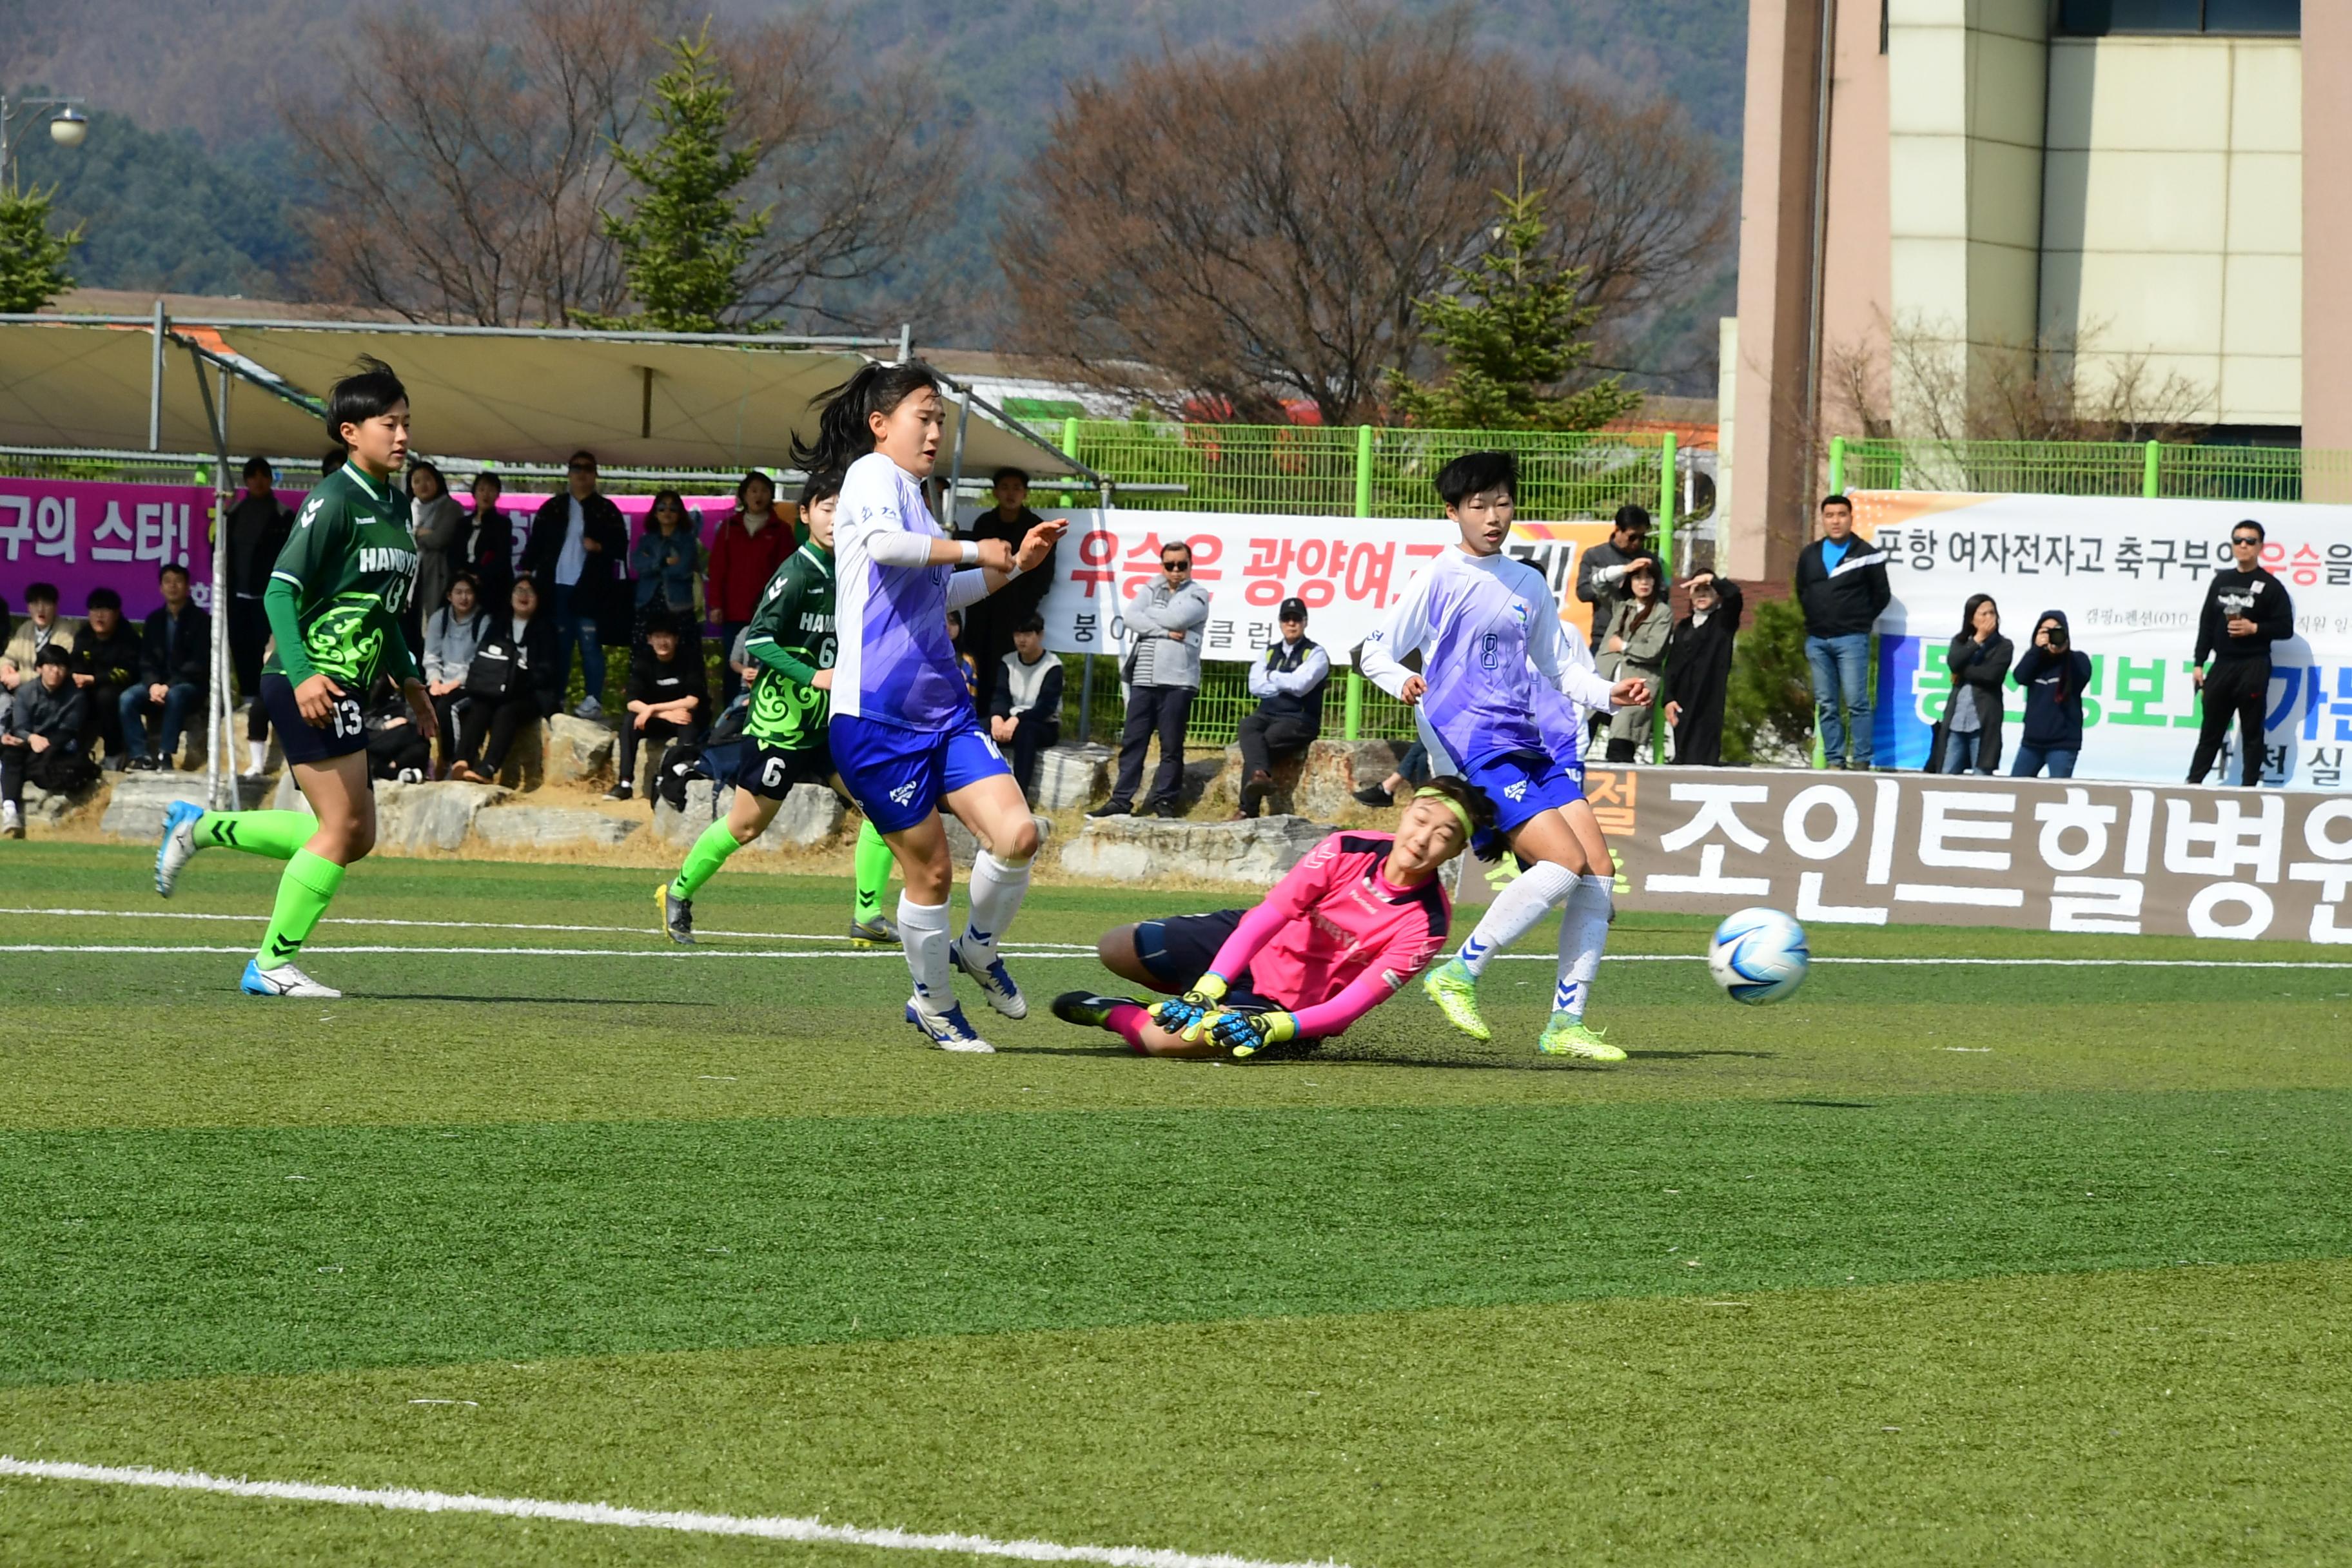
<point>791,641</point>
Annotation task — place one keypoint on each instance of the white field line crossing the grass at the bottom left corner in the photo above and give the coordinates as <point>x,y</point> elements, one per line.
<point>636,1520</point>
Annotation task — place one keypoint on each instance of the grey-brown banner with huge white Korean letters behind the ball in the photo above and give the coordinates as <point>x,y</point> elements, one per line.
<point>2031,855</point>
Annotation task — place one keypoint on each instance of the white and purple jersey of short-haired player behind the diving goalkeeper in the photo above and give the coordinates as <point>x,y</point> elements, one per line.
<point>1502,674</point>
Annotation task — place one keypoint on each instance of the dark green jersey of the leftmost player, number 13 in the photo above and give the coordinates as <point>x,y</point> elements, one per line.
<point>342,584</point>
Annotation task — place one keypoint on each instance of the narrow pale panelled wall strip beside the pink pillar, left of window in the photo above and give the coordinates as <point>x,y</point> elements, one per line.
<point>1965,130</point>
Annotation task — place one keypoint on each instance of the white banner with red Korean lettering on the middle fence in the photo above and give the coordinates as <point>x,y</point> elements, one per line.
<point>1347,570</point>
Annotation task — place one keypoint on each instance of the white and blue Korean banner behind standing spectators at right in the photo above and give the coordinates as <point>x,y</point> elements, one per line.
<point>2132,579</point>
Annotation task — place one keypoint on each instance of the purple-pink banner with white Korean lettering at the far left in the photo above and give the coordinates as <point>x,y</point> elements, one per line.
<point>83,535</point>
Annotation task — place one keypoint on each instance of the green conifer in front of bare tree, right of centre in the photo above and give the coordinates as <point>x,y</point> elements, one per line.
<point>1514,340</point>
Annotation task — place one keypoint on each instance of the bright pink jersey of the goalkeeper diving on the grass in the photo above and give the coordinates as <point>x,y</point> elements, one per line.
<point>1337,939</point>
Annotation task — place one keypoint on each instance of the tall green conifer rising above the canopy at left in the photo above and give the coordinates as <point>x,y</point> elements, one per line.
<point>686,241</point>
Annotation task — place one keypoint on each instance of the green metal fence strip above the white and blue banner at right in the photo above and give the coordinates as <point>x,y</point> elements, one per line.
<point>2156,471</point>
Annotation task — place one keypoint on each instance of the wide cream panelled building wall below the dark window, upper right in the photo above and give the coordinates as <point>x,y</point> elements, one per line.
<point>2174,215</point>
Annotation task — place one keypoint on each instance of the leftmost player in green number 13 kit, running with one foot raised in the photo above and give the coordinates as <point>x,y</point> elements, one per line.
<point>335,605</point>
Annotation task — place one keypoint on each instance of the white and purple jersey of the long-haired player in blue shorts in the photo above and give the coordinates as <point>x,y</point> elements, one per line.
<point>895,662</point>
